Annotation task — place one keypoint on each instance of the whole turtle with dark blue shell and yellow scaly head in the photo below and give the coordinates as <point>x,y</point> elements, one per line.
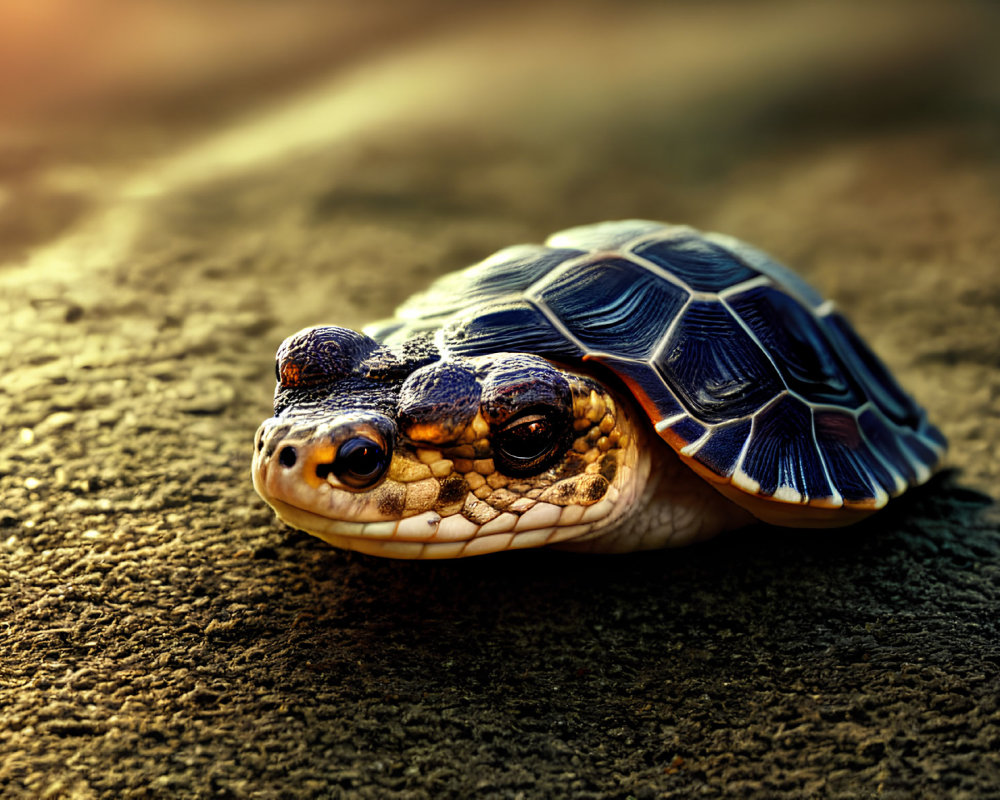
<point>627,385</point>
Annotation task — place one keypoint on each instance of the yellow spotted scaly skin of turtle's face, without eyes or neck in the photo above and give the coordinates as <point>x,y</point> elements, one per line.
<point>443,495</point>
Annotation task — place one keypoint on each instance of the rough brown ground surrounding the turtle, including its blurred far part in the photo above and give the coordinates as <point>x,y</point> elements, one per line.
<point>163,227</point>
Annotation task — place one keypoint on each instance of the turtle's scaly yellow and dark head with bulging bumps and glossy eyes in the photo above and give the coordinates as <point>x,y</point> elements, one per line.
<point>406,454</point>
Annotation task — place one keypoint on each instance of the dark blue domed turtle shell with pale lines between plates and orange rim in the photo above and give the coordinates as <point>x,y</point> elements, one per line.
<point>757,382</point>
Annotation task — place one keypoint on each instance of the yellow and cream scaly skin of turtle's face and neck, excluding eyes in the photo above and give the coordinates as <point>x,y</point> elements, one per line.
<point>450,500</point>
